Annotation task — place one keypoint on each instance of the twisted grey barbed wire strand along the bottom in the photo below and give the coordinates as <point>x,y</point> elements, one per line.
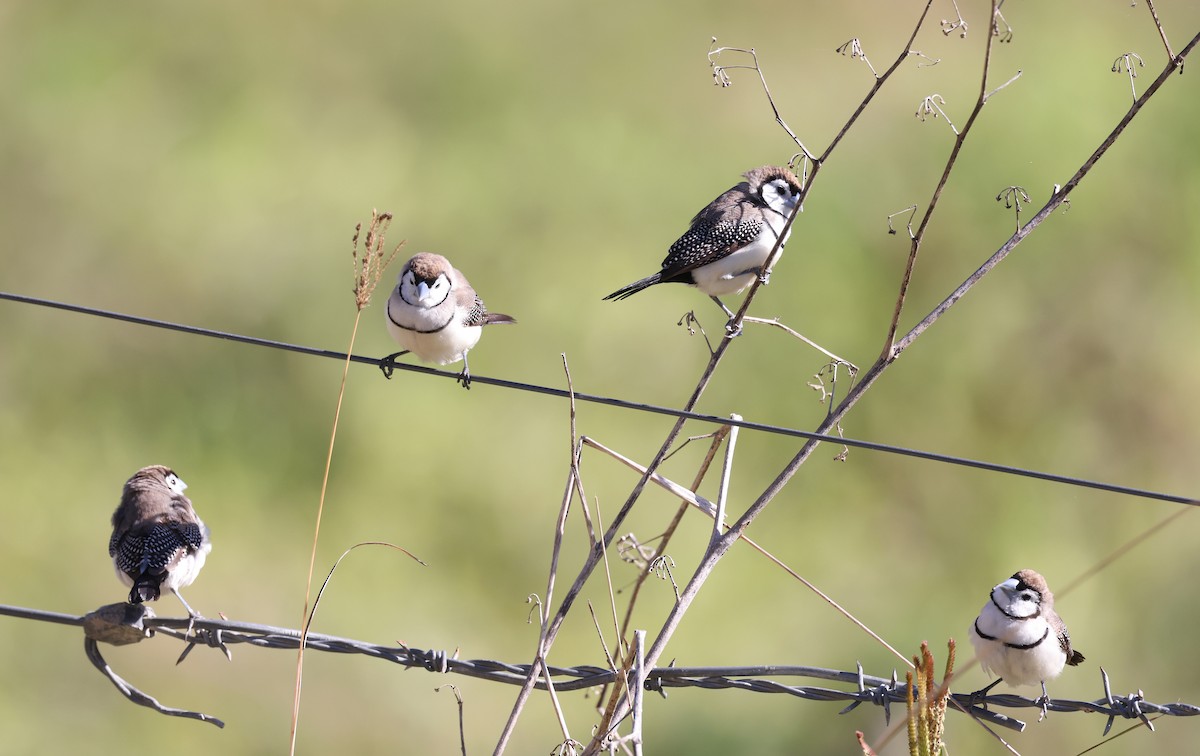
<point>868,689</point>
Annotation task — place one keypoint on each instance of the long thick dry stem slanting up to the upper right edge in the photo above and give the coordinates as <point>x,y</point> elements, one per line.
<point>715,555</point>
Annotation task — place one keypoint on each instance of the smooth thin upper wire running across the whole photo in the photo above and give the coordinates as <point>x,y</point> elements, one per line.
<point>615,403</point>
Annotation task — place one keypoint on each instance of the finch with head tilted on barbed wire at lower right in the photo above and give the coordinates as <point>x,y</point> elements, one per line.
<point>1021,638</point>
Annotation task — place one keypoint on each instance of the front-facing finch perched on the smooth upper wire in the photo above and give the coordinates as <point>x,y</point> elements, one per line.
<point>436,315</point>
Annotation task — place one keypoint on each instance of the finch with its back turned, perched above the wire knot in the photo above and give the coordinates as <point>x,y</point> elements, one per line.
<point>158,539</point>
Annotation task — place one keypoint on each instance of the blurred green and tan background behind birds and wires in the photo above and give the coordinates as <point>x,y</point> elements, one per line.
<point>207,164</point>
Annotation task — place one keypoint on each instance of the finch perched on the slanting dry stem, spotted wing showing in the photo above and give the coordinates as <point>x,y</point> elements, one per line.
<point>729,242</point>
